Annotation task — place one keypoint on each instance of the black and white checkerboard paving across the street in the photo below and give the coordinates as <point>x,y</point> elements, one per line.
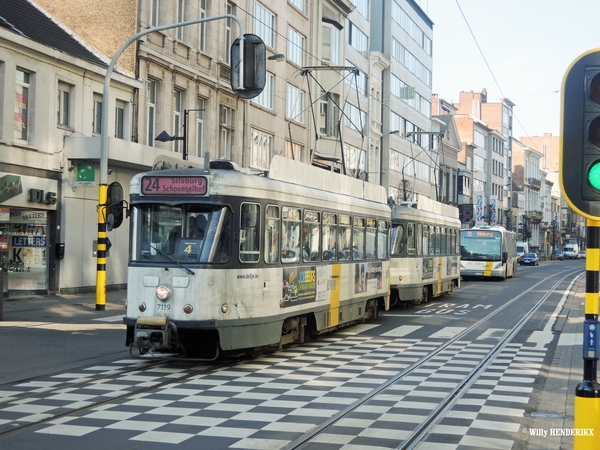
<point>269,402</point>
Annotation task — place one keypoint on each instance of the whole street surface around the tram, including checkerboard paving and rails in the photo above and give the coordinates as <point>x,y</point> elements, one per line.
<point>486,367</point>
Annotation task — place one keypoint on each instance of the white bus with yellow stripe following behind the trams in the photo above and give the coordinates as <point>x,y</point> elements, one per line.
<point>488,251</point>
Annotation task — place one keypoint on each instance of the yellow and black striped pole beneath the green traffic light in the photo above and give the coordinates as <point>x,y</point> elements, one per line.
<point>587,394</point>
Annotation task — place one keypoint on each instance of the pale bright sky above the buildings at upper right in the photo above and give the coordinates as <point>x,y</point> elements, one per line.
<point>528,46</point>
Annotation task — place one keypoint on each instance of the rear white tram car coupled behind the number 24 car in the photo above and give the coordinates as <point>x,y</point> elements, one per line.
<point>424,251</point>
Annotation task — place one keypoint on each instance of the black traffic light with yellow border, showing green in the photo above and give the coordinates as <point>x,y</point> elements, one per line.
<point>580,135</point>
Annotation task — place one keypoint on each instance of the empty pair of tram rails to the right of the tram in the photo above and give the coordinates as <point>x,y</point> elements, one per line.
<point>420,431</point>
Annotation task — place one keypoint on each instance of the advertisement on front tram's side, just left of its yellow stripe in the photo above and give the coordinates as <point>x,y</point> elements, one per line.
<point>303,285</point>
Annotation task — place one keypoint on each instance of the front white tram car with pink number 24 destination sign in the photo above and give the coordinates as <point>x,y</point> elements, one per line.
<point>222,260</point>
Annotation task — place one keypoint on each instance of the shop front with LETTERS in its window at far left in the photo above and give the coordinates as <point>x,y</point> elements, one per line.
<point>28,208</point>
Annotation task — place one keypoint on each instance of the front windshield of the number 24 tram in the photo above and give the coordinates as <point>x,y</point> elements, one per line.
<point>185,233</point>
